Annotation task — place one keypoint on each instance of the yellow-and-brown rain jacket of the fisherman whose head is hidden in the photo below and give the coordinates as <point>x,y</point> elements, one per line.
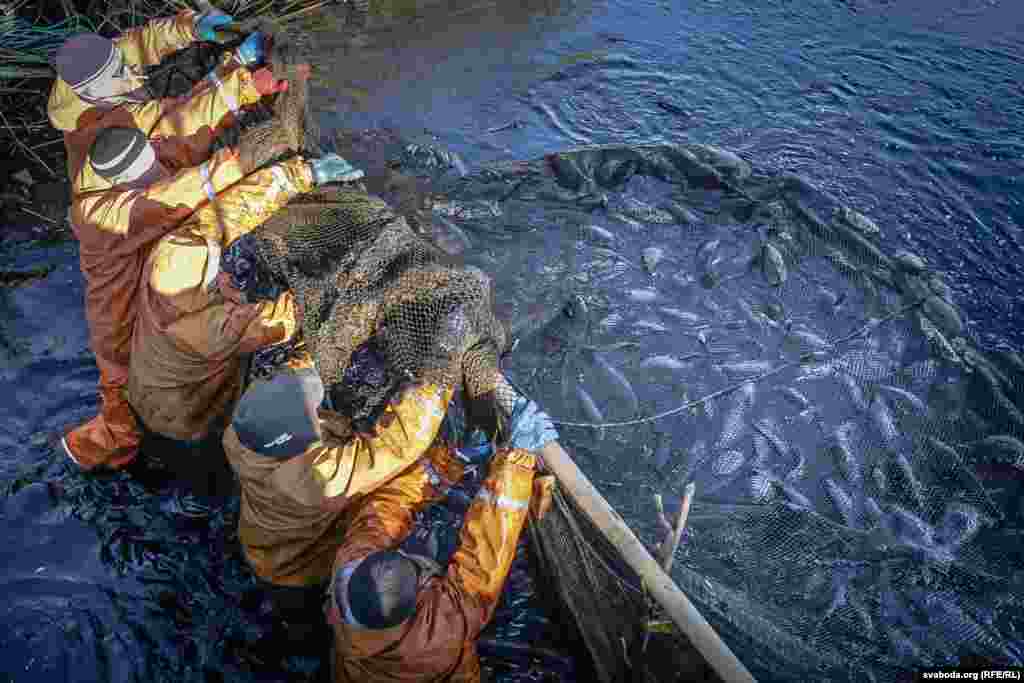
<point>186,363</point>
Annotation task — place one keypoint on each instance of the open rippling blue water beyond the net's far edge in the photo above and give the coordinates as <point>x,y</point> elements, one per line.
<point>909,111</point>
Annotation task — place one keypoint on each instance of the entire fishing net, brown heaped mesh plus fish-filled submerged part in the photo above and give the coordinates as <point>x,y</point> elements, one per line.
<point>858,456</point>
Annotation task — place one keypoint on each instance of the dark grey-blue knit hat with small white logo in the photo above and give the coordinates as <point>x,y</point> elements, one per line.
<point>278,417</point>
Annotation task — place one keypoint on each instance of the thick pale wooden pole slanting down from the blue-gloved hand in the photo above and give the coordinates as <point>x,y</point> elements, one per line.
<point>660,585</point>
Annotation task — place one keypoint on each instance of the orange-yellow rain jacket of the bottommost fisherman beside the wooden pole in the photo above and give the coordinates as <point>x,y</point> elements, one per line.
<point>439,643</point>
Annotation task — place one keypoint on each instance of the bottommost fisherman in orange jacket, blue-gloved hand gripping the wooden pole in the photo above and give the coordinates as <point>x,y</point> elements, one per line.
<point>401,617</point>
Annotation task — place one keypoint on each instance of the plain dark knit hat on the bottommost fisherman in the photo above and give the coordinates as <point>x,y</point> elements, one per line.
<point>382,590</point>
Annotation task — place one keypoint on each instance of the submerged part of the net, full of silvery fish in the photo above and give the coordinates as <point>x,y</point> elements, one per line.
<point>859,423</point>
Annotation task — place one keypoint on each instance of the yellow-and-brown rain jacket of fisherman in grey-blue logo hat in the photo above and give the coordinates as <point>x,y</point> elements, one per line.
<point>292,510</point>
